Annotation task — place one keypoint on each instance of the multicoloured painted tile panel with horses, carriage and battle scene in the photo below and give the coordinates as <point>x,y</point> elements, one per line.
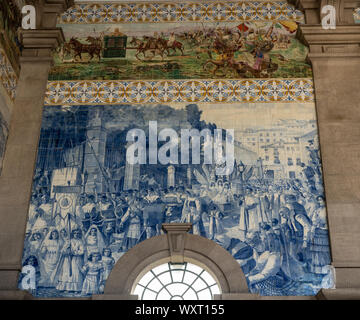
<point>184,50</point>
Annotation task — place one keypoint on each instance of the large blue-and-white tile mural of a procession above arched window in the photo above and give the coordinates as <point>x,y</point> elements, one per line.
<point>90,205</point>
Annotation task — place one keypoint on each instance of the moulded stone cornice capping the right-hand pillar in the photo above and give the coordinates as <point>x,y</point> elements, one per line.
<point>344,41</point>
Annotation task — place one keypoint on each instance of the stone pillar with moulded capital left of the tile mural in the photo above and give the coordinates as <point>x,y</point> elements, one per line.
<point>21,150</point>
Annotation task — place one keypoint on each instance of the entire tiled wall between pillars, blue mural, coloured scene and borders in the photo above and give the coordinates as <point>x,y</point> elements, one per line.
<point>204,66</point>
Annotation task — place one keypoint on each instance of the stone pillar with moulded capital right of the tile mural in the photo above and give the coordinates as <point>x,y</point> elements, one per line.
<point>335,58</point>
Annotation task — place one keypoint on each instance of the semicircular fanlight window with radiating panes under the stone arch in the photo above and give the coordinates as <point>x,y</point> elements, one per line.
<point>177,282</point>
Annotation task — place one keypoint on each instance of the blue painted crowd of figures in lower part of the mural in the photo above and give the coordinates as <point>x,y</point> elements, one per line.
<point>277,230</point>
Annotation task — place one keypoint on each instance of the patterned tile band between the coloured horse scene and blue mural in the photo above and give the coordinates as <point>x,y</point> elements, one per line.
<point>166,91</point>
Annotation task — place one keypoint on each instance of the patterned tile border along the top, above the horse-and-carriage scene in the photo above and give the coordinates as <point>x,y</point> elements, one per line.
<point>177,12</point>
